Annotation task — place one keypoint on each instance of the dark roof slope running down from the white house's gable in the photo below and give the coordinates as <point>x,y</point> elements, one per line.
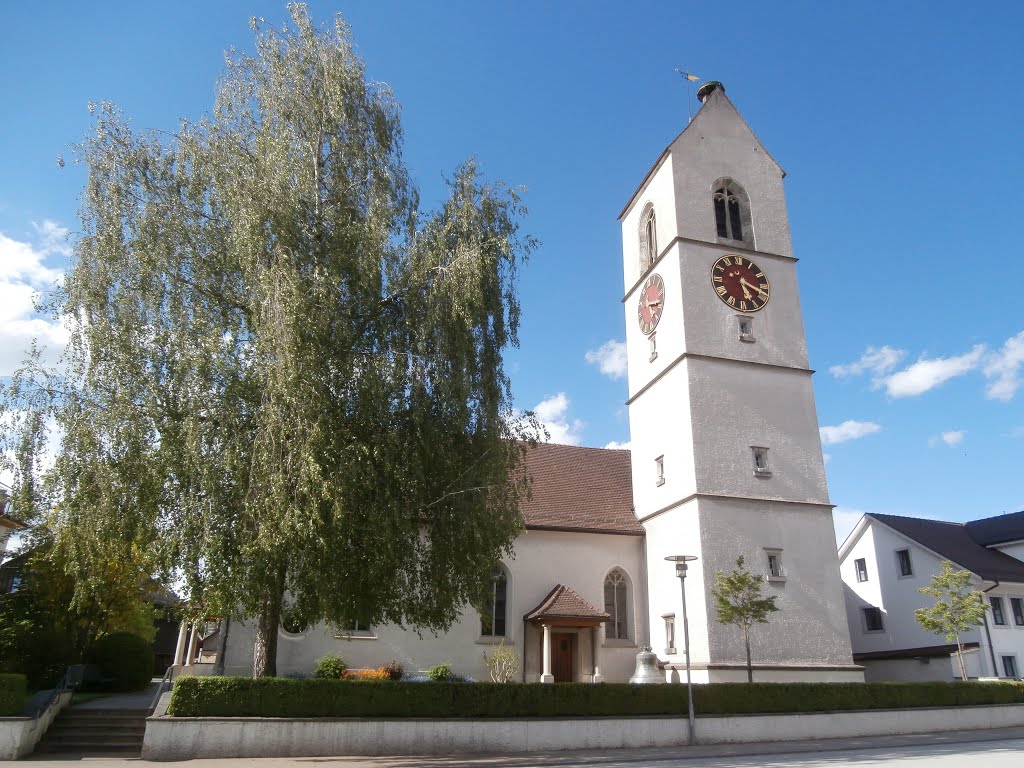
<point>954,542</point>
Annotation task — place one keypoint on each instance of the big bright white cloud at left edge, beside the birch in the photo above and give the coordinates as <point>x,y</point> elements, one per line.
<point>24,274</point>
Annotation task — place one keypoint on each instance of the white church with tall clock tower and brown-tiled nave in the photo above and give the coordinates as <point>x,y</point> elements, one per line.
<point>726,461</point>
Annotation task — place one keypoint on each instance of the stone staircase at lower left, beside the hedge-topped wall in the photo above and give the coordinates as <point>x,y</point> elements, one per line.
<point>96,732</point>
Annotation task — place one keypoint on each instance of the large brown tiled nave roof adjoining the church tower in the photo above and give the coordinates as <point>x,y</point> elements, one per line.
<point>580,489</point>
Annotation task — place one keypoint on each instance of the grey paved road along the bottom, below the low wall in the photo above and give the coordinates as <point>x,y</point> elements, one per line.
<point>995,749</point>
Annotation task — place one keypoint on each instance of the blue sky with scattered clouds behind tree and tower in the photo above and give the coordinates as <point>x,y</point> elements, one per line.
<point>899,124</point>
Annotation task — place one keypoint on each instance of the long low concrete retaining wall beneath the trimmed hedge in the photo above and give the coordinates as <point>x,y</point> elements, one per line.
<point>188,739</point>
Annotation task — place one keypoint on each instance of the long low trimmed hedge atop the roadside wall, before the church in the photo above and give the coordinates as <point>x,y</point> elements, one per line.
<point>240,697</point>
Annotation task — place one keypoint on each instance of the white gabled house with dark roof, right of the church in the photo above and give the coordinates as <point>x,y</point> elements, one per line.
<point>887,560</point>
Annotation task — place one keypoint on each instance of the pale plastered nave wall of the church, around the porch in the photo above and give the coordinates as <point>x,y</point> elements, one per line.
<point>542,560</point>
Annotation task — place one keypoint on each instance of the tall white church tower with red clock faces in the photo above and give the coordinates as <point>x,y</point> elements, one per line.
<point>726,448</point>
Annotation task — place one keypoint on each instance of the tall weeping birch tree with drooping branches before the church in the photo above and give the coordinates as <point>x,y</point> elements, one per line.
<point>285,382</point>
